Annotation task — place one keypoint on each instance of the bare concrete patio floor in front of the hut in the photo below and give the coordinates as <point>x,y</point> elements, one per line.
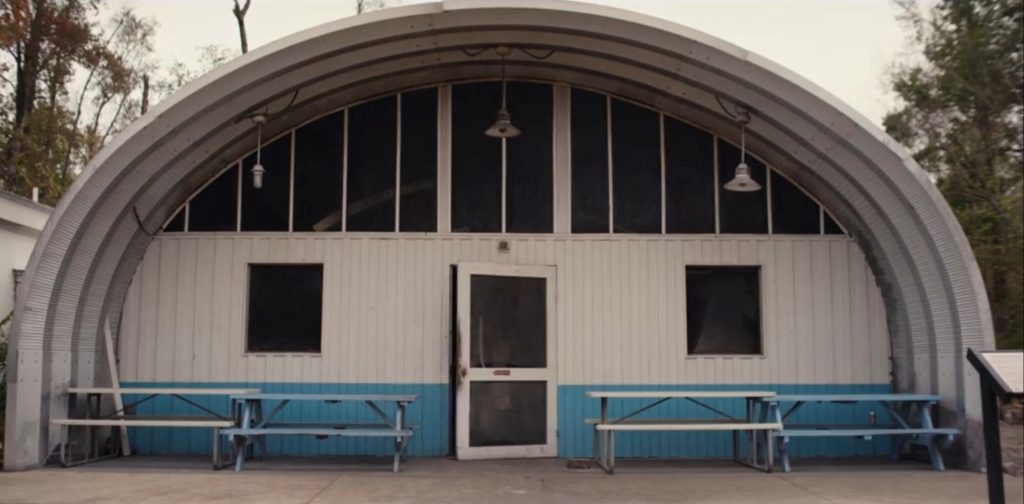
<point>444,481</point>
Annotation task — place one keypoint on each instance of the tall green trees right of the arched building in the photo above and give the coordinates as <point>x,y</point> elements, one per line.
<point>961,114</point>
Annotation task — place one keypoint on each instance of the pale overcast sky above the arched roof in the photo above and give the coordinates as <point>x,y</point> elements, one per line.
<point>845,47</point>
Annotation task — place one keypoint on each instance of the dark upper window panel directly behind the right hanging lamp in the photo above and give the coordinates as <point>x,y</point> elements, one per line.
<point>741,213</point>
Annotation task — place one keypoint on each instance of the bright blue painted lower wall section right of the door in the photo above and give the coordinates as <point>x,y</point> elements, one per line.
<point>576,439</point>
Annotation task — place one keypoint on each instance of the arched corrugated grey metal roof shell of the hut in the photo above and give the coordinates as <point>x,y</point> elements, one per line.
<point>87,257</point>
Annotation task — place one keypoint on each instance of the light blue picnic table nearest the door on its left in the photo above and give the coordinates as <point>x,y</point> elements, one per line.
<point>255,426</point>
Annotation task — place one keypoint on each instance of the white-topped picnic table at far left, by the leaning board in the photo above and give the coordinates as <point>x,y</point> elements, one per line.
<point>120,418</point>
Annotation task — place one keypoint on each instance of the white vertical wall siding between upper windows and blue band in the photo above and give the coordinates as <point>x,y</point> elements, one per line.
<point>621,317</point>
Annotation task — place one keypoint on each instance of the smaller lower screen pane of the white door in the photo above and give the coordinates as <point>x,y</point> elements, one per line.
<point>508,413</point>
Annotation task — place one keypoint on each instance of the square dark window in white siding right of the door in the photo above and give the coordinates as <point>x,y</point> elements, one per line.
<point>723,311</point>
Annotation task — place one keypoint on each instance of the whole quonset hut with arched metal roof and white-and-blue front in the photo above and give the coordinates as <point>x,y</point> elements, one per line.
<point>395,241</point>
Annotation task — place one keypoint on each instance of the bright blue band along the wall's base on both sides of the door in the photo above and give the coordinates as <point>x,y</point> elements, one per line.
<point>432,415</point>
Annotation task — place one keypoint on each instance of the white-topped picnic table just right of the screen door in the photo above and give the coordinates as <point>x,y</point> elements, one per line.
<point>606,428</point>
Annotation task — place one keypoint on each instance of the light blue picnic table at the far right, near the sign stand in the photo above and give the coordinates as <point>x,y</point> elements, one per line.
<point>912,423</point>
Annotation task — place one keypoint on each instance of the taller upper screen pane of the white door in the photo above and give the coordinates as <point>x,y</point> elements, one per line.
<point>508,322</point>
